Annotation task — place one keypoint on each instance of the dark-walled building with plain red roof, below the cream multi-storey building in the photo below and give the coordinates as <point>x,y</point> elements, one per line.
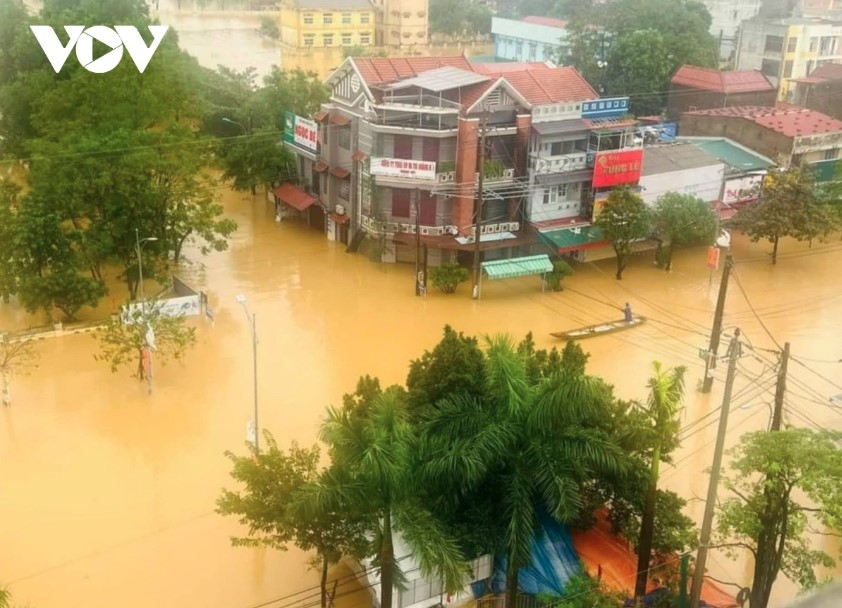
<point>695,88</point>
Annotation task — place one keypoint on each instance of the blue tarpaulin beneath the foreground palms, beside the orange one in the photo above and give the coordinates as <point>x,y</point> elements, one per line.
<point>553,562</point>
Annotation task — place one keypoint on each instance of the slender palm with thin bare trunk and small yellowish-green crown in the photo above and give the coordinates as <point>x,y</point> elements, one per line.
<point>666,392</point>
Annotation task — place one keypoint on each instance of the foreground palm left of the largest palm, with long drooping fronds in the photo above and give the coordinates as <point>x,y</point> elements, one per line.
<point>372,472</point>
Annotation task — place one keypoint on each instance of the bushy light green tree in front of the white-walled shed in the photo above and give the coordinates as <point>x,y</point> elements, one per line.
<point>681,220</point>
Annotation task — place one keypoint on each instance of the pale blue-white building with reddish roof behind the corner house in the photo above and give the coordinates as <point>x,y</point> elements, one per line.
<point>529,39</point>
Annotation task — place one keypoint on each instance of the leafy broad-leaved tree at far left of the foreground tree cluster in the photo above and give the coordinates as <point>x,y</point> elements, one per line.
<point>271,479</point>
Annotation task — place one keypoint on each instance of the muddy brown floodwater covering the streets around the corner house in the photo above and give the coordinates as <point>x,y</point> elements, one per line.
<point>107,493</point>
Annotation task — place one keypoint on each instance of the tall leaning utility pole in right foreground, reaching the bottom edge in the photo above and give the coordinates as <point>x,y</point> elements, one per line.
<point>707,522</point>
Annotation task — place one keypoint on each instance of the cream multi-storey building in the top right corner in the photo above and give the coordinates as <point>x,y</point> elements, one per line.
<point>788,49</point>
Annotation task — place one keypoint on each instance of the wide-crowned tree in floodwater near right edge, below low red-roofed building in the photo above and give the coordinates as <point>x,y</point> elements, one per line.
<point>788,206</point>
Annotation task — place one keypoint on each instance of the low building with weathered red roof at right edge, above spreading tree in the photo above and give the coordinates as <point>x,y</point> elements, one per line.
<point>790,136</point>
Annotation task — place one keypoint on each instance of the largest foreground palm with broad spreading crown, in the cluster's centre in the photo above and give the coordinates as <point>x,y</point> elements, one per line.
<point>536,439</point>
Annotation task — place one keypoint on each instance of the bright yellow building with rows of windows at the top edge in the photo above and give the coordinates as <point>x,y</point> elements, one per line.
<point>314,24</point>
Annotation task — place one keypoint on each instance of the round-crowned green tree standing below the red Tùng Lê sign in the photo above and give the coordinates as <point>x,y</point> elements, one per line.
<point>624,220</point>
